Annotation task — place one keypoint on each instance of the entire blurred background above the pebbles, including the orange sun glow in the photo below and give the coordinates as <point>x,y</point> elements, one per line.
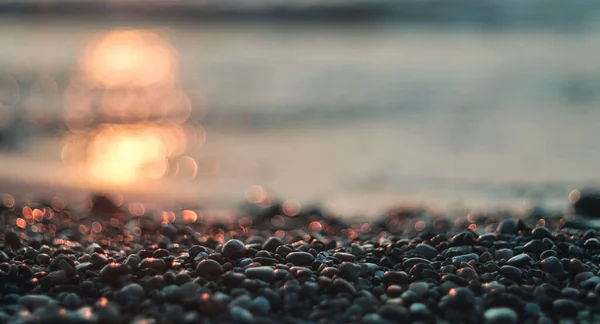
<point>354,105</point>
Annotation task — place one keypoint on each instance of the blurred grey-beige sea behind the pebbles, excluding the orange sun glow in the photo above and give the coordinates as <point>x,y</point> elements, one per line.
<point>495,105</point>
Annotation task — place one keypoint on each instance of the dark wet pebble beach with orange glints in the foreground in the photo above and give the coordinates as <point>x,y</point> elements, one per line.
<point>115,266</point>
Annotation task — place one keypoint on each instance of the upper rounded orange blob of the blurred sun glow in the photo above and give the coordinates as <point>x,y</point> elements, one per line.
<point>129,58</point>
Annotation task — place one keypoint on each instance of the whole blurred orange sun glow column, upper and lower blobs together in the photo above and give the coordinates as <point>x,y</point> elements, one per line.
<point>126,111</point>
